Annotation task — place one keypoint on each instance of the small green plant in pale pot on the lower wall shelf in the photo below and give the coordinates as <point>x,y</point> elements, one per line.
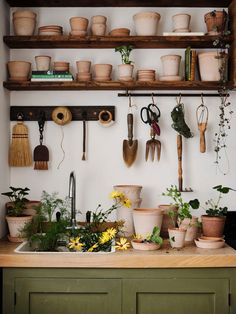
<point>126,68</point>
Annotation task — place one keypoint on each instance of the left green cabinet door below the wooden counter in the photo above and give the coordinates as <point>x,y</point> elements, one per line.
<point>80,296</point>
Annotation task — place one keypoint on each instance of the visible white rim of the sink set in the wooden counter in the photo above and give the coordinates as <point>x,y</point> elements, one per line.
<point>24,248</point>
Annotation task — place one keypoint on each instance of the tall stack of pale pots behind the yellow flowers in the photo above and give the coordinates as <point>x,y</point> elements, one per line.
<point>125,214</point>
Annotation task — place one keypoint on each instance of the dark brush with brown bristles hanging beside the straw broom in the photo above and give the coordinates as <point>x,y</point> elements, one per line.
<point>41,153</point>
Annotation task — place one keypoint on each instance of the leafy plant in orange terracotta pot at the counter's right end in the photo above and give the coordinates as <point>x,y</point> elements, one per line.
<point>214,220</point>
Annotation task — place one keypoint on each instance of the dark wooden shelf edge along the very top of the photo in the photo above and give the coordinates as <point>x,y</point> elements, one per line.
<point>119,3</point>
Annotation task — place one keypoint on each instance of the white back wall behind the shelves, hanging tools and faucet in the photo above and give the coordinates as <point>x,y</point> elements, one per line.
<point>105,167</point>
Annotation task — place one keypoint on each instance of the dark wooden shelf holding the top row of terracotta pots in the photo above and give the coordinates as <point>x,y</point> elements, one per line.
<point>66,41</point>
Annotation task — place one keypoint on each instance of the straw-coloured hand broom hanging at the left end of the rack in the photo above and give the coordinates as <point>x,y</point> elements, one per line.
<point>20,154</point>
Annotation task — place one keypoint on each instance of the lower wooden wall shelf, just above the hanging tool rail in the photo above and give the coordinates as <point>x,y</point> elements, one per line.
<point>112,85</point>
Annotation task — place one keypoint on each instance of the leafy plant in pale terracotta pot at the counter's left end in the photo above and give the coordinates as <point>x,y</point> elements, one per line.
<point>16,219</point>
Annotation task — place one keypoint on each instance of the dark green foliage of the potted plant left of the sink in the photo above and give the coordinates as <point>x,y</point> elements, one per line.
<point>17,197</point>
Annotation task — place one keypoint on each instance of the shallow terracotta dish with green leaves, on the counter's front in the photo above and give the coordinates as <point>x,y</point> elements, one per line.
<point>152,241</point>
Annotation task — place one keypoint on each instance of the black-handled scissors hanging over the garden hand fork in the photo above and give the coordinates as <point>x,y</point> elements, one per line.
<point>151,115</point>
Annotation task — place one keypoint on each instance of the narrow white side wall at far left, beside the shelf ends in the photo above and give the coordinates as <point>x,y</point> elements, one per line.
<point>4,115</point>
